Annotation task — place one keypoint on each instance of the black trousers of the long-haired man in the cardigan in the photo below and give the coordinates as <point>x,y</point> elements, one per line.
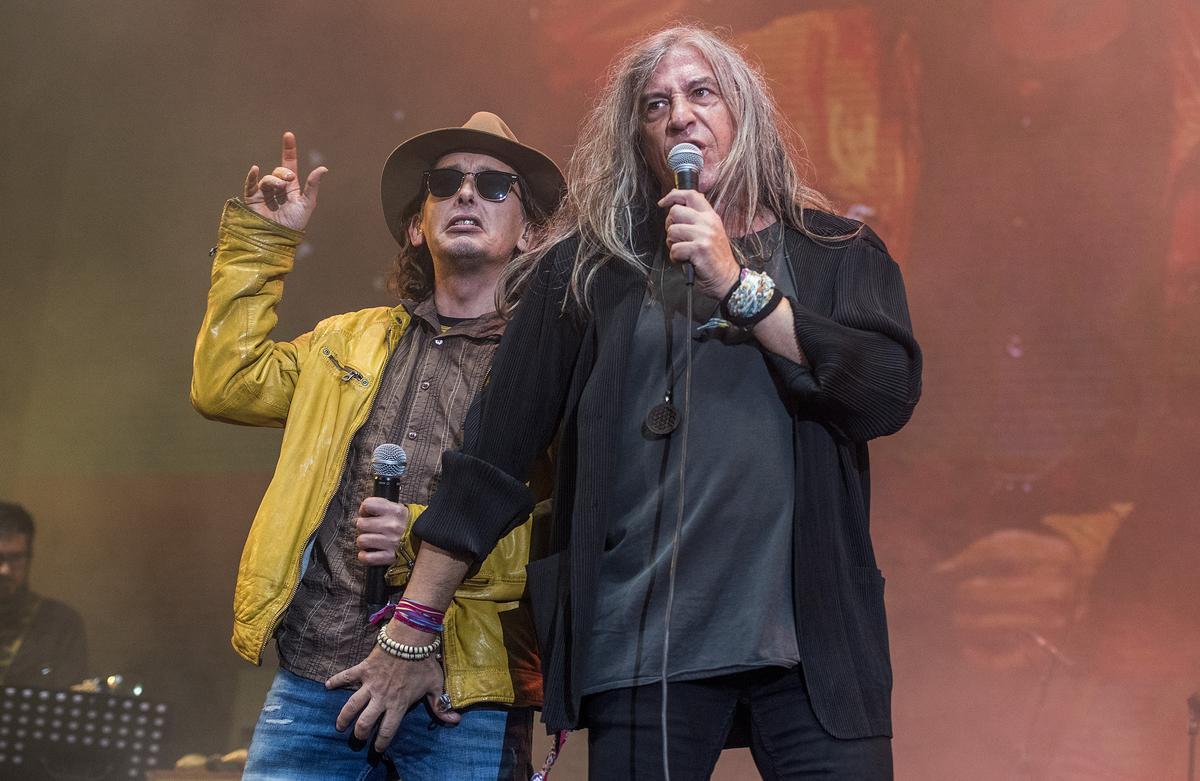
<point>787,740</point>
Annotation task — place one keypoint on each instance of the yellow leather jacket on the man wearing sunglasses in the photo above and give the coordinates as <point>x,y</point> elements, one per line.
<point>320,388</point>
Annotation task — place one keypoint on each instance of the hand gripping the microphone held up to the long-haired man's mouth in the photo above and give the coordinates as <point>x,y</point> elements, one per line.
<point>697,236</point>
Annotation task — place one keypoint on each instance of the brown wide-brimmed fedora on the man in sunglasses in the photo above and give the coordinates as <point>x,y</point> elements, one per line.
<point>485,134</point>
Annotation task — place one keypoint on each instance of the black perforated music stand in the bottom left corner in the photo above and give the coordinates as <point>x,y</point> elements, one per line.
<point>69,736</point>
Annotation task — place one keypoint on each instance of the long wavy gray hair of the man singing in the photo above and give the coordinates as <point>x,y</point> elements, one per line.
<point>610,185</point>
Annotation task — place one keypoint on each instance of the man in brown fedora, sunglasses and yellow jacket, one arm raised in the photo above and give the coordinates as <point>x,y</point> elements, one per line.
<point>461,202</point>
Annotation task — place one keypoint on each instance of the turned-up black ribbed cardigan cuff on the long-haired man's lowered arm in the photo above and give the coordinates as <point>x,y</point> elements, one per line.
<point>485,507</point>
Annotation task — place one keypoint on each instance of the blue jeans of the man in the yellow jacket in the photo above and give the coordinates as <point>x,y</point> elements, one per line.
<point>296,741</point>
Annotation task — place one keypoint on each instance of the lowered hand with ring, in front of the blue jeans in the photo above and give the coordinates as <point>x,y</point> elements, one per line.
<point>388,687</point>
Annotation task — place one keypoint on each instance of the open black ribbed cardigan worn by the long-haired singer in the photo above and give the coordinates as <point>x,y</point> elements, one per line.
<point>560,374</point>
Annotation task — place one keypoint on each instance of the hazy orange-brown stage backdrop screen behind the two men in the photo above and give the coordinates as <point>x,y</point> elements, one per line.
<point>1035,167</point>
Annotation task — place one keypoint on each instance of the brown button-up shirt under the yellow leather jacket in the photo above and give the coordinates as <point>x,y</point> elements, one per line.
<point>424,395</point>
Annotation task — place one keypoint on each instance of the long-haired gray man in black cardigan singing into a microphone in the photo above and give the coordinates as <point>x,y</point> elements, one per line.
<point>711,570</point>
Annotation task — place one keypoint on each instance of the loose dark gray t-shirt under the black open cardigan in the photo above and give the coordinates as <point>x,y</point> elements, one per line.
<point>733,608</point>
